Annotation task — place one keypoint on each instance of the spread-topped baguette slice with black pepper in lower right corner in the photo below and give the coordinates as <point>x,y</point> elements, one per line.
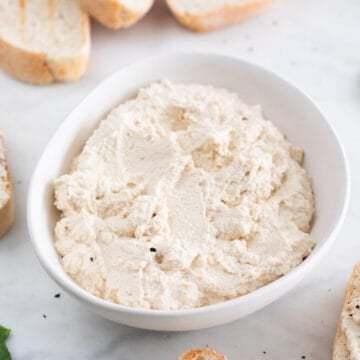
<point>347,340</point>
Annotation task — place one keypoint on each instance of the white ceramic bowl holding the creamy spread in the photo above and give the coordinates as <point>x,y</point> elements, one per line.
<point>291,111</point>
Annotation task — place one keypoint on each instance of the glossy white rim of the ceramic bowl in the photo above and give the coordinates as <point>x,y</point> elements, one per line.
<point>81,294</point>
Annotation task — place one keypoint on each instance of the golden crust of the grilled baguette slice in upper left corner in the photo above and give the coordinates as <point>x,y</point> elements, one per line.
<point>38,68</point>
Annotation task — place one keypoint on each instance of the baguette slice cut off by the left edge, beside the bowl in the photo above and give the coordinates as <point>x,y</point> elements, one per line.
<point>6,194</point>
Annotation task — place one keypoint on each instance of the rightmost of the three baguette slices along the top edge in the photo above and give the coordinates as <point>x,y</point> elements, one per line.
<point>210,15</point>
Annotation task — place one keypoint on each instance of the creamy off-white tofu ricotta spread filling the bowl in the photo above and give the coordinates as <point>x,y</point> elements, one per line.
<point>184,196</point>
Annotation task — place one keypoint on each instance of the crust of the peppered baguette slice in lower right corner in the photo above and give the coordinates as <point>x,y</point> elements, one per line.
<point>340,351</point>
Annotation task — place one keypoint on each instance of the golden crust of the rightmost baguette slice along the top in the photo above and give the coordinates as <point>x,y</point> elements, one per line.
<point>218,18</point>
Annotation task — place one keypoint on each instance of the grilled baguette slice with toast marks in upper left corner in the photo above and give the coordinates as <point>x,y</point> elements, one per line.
<point>42,41</point>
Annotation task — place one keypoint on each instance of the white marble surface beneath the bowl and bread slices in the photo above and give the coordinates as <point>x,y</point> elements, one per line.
<point>314,44</point>
